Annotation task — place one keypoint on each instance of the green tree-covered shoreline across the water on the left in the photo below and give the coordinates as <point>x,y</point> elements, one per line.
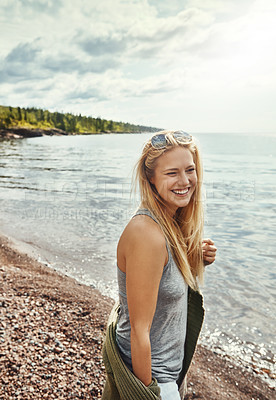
<point>37,118</point>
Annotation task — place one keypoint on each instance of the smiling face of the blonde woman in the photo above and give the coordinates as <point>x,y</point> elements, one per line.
<point>175,178</point>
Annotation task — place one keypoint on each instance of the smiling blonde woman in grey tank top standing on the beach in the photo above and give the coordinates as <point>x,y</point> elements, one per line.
<point>160,258</point>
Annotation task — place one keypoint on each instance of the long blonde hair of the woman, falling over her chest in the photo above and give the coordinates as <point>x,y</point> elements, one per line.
<point>183,232</point>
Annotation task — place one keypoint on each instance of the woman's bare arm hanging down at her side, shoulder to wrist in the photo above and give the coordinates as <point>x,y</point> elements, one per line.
<point>145,259</point>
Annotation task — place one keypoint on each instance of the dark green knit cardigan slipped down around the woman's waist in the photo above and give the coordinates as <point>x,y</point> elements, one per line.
<point>121,383</point>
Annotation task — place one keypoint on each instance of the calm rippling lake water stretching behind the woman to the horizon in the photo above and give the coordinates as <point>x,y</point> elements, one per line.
<point>68,197</point>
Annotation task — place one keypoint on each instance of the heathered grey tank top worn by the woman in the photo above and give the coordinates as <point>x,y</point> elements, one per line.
<point>168,329</point>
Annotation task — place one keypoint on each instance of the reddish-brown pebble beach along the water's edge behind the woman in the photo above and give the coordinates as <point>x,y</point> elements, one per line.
<point>51,335</point>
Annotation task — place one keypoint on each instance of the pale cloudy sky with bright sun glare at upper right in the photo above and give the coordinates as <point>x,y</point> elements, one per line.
<point>196,65</point>
